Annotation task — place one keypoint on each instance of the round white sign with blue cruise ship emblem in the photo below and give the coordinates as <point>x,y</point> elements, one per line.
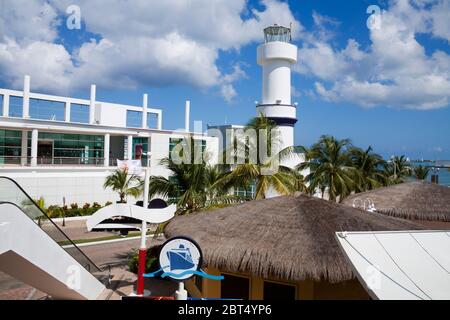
<point>180,258</point>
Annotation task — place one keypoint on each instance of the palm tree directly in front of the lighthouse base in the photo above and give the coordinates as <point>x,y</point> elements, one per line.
<point>266,172</point>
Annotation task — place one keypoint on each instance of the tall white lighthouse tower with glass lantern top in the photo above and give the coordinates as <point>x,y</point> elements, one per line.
<point>276,56</point>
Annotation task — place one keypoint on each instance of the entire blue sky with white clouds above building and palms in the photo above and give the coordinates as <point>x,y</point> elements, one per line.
<point>389,88</point>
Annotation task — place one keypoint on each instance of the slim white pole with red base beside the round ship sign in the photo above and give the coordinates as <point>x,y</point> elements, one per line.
<point>143,246</point>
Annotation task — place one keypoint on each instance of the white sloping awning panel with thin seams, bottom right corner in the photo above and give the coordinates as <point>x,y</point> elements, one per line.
<point>400,265</point>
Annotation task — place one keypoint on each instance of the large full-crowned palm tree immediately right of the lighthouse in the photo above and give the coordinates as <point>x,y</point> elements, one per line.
<point>330,167</point>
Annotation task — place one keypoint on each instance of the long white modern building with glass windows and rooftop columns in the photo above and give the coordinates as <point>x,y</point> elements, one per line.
<point>62,148</point>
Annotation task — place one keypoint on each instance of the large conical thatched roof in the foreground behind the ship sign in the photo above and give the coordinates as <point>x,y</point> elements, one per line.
<point>289,237</point>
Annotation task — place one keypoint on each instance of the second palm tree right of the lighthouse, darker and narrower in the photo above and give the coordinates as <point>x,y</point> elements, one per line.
<point>370,168</point>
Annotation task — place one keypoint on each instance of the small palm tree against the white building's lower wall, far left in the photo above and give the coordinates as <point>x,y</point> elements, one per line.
<point>124,184</point>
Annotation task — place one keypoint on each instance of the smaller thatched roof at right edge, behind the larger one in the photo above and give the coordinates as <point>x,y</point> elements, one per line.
<point>410,200</point>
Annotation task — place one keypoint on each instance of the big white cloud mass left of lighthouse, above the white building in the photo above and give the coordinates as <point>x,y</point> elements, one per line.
<point>140,42</point>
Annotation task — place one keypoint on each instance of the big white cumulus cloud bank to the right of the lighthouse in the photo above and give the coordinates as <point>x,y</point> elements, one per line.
<point>395,70</point>
